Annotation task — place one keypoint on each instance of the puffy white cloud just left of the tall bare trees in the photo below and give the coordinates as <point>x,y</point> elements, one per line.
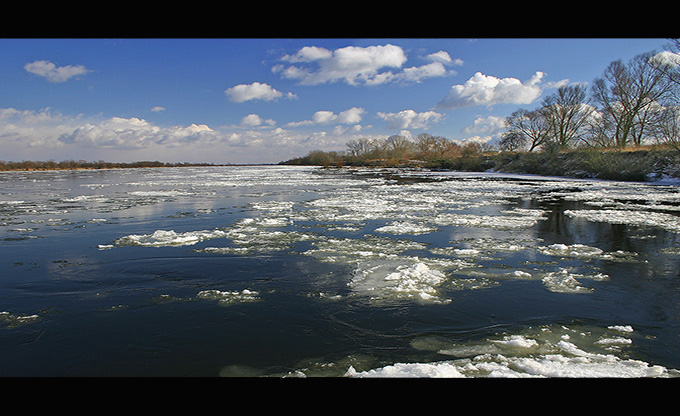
<point>488,90</point>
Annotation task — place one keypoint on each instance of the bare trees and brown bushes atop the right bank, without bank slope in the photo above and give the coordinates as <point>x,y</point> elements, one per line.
<point>630,105</point>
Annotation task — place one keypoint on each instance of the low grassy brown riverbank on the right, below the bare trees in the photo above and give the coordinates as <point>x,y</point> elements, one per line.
<point>638,165</point>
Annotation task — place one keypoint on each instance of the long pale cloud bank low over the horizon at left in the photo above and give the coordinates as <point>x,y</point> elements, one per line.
<point>44,135</point>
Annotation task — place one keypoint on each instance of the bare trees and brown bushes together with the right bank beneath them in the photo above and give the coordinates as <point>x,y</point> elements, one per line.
<point>624,125</point>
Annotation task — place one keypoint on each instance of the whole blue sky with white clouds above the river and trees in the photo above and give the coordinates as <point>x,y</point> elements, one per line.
<point>258,100</point>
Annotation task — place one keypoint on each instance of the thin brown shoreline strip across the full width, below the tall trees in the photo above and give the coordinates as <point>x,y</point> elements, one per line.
<point>638,165</point>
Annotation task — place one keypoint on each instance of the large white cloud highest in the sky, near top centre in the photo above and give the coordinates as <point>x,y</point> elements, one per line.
<point>372,65</point>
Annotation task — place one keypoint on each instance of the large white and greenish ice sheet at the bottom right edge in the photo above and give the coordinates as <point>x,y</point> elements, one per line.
<point>546,351</point>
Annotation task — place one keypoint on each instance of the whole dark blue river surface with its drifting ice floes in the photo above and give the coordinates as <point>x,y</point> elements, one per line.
<point>292,272</point>
